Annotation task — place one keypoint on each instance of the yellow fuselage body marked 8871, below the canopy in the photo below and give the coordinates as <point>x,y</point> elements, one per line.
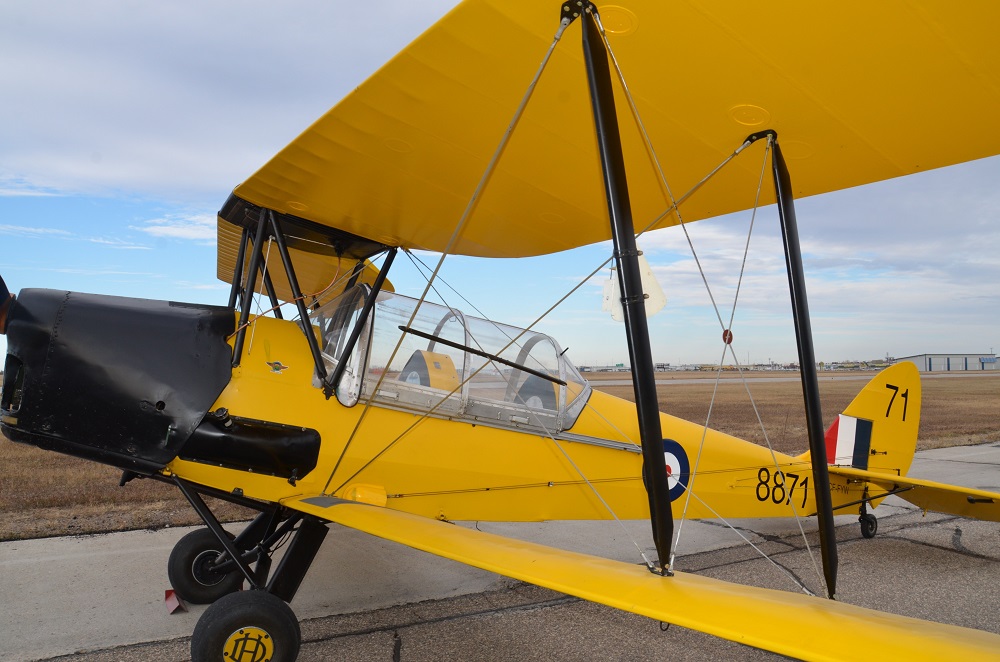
<point>463,470</point>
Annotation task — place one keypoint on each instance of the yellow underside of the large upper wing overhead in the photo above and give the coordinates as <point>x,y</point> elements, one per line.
<point>858,92</point>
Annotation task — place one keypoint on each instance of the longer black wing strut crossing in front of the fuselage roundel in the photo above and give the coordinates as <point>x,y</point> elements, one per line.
<point>633,300</point>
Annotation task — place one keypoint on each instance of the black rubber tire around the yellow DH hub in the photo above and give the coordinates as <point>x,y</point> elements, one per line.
<point>236,611</point>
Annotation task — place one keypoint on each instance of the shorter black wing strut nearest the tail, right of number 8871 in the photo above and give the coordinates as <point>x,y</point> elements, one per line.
<point>807,359</point>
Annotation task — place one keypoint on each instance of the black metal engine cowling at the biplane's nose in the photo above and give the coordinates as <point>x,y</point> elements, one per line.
<point>117,380</point>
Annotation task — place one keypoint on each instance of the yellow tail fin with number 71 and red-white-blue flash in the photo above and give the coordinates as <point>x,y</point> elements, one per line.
<point>878,430</point>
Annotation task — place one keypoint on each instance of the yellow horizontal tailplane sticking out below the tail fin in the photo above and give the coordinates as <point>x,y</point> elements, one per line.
<point>926,494</point>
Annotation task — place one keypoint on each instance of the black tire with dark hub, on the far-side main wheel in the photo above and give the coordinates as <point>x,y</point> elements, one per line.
<point>192,586</point>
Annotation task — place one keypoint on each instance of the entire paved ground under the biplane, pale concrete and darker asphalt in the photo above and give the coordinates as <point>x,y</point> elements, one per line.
<point>99,598</point>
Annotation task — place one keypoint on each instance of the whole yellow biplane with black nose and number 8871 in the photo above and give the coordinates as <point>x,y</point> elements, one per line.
<point>496,134</point>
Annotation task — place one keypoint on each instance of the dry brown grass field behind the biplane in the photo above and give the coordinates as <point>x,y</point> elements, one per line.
<point>46,494</point>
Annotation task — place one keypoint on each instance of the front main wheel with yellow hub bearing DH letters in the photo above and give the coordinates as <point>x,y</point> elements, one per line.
<point>244,627</point>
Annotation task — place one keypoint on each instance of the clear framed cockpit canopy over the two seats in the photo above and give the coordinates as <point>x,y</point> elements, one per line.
<point>408,371</point>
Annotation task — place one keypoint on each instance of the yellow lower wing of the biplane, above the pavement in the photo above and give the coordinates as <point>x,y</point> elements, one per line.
<point>787,623</point>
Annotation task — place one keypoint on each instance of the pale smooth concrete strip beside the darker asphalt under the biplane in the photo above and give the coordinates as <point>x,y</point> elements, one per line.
<point>64,595</point>
